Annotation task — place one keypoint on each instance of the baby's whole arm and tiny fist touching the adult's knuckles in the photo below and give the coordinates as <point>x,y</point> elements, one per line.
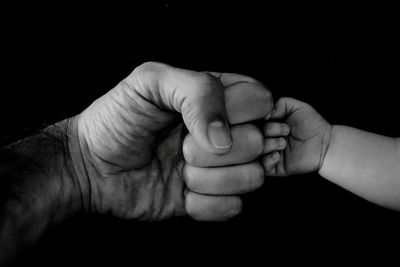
<point>364,163</point>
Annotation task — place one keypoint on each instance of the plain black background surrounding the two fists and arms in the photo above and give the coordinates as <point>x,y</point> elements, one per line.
<point>339,58</point>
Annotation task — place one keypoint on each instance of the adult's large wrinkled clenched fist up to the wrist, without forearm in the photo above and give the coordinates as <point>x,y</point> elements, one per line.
<point>130,141</point>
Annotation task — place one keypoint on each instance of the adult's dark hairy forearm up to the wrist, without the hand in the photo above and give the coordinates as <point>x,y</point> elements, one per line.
<point>38,186</point>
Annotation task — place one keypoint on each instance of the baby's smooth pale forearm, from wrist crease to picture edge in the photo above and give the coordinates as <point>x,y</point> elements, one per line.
<point>364,163</point>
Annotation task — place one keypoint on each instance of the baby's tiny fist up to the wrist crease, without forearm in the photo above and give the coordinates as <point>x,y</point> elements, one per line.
<point>308,136</point>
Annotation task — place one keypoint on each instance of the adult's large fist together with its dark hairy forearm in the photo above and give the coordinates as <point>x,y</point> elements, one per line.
<point>123,154</point>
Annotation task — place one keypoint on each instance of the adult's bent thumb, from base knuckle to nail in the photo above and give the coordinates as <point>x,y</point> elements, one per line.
<point>198,96</point>
